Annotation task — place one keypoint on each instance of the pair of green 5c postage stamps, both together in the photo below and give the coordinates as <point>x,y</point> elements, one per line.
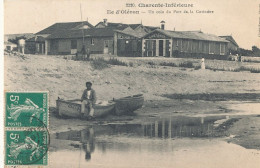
<point>26,128</point>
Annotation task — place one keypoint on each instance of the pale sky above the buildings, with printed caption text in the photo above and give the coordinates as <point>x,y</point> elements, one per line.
<point>239,18</point>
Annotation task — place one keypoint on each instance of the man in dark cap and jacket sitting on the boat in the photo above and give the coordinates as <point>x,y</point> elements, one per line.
<point>88,98</point>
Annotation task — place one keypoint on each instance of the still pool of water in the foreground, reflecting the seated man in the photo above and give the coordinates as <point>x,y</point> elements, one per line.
<point>166,142</point>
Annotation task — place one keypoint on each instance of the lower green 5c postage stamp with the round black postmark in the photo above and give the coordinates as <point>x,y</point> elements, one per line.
<point>26,147</point>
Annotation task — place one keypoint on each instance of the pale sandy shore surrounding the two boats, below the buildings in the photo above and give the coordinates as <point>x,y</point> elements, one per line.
<point>159,84</point>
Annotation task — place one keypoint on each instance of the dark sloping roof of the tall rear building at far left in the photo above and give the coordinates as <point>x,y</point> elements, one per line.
<point>62,27</point>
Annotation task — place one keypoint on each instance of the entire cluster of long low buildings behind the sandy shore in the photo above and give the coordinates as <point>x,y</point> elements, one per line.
<point>134,40</point>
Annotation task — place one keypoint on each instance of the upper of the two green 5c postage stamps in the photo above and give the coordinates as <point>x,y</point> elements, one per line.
<point>26,109</point>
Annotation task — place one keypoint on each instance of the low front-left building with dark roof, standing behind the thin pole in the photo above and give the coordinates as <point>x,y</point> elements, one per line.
<point>98,40</point>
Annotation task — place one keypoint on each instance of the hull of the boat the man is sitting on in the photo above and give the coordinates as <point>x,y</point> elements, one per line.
<point>72,108</point>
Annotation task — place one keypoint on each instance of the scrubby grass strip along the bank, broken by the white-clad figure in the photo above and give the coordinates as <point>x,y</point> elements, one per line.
<point>214,65</point>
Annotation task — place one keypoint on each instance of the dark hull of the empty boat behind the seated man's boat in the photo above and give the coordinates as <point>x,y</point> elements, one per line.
<point>127,105</point>
